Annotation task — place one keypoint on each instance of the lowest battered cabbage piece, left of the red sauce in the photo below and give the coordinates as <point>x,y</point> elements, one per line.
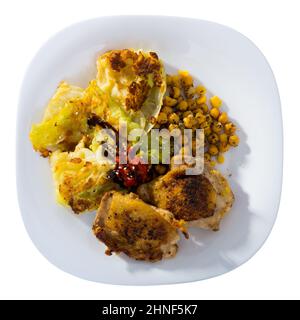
<point>80,180</point>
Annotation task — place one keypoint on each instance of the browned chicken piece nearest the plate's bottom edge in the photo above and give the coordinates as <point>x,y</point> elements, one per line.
<point>127,224</point>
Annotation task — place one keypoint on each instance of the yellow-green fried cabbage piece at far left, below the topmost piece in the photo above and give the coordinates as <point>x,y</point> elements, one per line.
<point>67,114</point>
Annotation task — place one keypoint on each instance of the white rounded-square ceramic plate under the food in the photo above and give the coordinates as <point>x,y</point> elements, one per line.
<point>230,66</point>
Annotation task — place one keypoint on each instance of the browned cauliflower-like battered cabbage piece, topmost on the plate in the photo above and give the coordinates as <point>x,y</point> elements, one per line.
<point>135,80</point>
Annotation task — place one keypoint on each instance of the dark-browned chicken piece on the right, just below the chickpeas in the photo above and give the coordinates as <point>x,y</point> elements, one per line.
<point>201,200</point>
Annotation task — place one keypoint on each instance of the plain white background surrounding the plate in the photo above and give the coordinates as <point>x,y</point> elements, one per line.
<point>274,272</point>
